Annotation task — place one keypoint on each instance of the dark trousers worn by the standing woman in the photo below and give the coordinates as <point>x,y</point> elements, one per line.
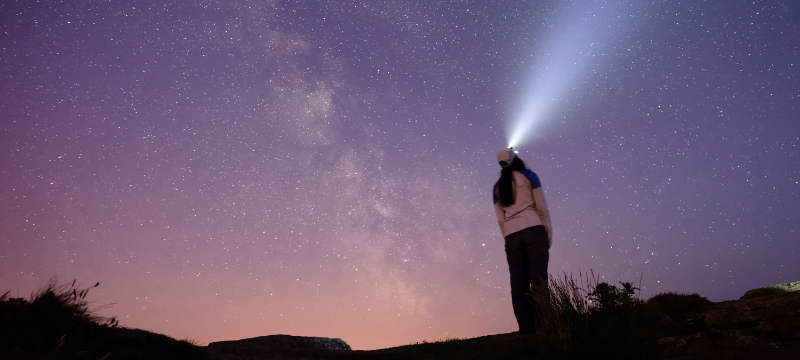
<point>528,254</point>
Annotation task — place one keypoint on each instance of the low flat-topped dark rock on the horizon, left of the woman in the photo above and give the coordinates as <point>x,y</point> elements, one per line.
<point>277,347</point>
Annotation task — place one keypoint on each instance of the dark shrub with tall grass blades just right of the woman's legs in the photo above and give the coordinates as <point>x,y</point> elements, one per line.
<point>587,319</point>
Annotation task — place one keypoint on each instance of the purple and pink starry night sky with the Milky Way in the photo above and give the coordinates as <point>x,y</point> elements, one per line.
<point>232,169</point>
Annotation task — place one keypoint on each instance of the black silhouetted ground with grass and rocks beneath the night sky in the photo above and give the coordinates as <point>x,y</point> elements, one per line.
<point>56,323</point>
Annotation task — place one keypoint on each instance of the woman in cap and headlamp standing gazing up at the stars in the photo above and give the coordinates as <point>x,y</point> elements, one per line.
<point>525,223</point>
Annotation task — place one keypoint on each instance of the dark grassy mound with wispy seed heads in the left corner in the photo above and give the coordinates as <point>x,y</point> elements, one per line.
<point>56,322</point>
